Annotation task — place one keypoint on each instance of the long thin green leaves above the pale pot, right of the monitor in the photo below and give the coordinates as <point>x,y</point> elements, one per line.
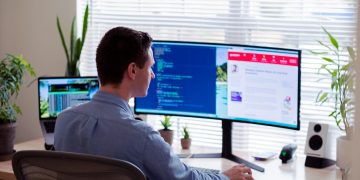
<point>342,77</point>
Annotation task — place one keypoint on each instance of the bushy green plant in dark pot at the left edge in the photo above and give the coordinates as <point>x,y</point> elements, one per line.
<point>12,69</point>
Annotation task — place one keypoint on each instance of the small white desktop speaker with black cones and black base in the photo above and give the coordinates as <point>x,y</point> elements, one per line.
<point>317,147</point>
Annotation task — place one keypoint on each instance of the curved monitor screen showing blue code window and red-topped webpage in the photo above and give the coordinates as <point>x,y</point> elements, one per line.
<point>251,84</point>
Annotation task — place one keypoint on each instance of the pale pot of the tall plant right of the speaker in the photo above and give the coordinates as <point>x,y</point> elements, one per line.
<point>343,152</point>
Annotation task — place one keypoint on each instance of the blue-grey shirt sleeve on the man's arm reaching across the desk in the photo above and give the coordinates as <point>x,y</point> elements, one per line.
<point>162,164</point>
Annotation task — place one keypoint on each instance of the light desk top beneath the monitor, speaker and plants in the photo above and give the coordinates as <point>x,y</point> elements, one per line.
<point>274,169</point>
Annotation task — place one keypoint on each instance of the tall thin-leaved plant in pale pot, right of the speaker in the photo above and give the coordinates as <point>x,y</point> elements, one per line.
<point>341,91</point>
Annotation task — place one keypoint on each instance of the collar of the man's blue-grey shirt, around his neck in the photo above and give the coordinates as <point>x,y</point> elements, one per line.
<point>112,99</point>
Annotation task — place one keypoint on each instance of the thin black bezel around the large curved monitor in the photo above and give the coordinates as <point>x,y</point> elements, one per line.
<point>231,120</point>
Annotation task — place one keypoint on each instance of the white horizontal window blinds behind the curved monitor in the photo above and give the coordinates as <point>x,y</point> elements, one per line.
<point>275,23</point>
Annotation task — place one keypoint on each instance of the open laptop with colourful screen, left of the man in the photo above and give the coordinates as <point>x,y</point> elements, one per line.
<point>56,94</point>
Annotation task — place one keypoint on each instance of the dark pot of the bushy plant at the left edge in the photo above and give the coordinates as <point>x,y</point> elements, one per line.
<point>7,140</point>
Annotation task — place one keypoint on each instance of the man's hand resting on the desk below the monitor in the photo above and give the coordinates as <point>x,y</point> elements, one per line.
<point>239,172</point>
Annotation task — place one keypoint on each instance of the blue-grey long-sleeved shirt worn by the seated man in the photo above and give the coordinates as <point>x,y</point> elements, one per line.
<point>106,126</point>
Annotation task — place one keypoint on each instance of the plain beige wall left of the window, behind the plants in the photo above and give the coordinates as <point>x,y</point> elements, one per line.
<point>29,28</point>
